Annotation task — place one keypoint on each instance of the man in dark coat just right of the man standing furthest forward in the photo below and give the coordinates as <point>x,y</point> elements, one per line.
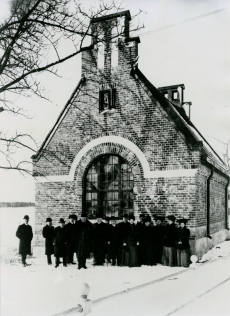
<point>99,241</point>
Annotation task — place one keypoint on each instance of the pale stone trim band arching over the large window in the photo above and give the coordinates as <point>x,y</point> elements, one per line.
<point>124,142</point>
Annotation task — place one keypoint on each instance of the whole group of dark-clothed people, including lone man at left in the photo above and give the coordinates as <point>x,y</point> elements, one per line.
<point>126,243</point>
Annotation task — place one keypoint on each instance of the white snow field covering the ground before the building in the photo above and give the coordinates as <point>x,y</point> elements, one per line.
<point>42,290</point>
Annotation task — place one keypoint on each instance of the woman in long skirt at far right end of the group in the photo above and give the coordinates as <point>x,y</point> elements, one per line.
<point>183,246</point>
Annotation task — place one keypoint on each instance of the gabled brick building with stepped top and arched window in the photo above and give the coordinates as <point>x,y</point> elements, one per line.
<point>120,145</point>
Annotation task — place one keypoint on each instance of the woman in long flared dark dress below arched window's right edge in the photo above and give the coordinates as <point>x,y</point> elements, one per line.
<point>130,243</point>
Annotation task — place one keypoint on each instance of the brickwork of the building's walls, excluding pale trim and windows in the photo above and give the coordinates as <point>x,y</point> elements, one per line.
<point>139,118</point>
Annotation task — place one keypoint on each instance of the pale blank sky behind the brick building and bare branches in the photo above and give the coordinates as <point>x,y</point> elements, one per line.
<point>182,42</point>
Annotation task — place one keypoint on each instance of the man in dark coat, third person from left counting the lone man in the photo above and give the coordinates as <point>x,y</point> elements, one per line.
<point>60,243</point>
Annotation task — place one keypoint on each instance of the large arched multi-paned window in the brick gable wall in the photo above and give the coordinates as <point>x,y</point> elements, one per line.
<point>108,187</point>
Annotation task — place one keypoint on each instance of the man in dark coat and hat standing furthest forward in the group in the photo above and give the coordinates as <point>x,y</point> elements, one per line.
<point>83,240</point>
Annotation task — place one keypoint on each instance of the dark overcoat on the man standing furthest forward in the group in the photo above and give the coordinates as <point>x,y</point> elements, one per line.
<point>84,238</point>
